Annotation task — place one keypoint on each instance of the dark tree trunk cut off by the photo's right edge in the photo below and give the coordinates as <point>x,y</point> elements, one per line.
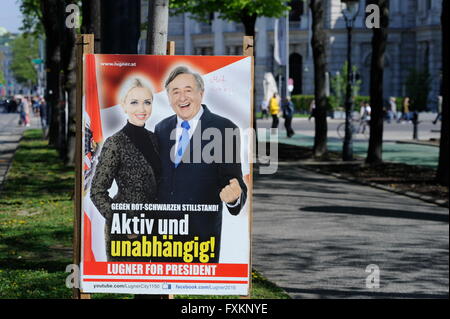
<point>442,171</point>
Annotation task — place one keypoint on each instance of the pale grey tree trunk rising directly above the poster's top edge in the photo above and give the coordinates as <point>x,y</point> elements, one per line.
<point>158,23</point>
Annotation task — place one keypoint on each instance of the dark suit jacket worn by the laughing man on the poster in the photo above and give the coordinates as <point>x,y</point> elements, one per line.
<point>200,183</point>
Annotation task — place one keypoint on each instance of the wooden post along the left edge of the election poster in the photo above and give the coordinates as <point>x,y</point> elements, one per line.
<point>85,45</point>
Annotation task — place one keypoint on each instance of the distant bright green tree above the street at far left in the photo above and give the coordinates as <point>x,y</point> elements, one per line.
<point>24,50</point>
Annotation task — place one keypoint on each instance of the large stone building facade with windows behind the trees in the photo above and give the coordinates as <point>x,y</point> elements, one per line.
<point>414,41</point>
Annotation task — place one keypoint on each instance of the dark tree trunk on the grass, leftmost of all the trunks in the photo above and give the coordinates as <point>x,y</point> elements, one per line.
<point>51,20</point>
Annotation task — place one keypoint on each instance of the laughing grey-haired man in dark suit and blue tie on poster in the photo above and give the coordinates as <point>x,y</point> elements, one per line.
<point>187,181</point>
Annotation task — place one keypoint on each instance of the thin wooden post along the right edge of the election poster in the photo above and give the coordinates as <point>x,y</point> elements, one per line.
<point>248,50</point>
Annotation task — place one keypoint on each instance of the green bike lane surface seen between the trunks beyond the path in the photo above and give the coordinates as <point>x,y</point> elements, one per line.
<point>413,154</point>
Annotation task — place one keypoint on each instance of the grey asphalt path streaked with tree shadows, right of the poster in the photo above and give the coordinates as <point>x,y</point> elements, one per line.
<point>314,236</point>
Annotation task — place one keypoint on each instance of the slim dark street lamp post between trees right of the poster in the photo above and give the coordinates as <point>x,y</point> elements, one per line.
<point>350,10</point>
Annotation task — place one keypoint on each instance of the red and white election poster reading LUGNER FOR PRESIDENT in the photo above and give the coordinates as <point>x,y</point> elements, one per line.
<point>166,174</point>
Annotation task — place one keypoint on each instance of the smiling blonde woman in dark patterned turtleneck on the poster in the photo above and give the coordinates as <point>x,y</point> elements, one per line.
<point>131,158</point>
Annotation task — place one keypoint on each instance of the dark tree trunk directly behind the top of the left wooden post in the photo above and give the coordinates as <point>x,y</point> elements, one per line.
<point>92,21</point>
